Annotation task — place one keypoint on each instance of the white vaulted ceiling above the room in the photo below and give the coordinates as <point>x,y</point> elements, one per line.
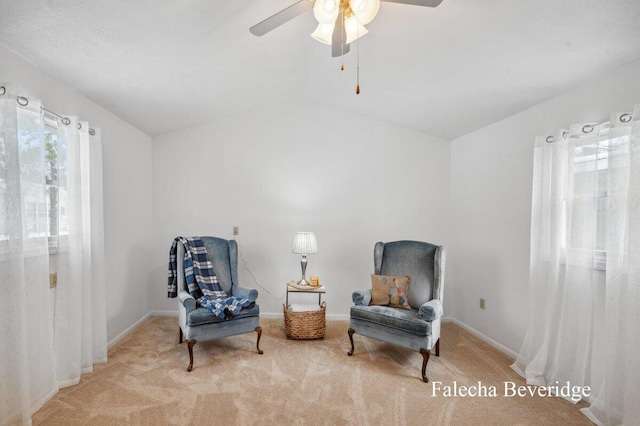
<point>163,65</point>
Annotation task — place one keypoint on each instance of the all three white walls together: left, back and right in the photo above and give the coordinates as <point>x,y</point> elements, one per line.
<point>352,180</point>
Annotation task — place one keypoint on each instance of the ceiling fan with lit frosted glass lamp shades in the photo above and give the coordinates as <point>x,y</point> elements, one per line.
<point>339,21</point>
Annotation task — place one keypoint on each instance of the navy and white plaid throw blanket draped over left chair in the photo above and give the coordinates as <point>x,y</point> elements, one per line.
<point>201,279</point>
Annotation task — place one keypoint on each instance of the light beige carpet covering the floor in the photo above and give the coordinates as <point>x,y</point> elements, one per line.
<point>296,382</point>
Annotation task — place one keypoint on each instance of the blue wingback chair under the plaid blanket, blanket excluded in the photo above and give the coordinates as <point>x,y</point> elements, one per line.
<point>198,324</point>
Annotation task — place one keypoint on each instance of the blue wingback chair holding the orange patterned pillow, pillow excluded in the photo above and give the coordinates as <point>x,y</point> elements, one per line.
<point>417,328</point>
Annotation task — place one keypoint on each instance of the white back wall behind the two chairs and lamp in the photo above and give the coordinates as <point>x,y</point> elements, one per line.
<point>299,167</point>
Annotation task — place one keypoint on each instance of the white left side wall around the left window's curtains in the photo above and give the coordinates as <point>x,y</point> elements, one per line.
<point>127,191</point>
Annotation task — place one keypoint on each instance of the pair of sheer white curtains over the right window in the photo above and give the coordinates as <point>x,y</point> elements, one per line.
<point>577,229</point>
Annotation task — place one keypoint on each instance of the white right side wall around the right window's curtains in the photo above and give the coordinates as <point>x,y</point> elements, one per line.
<point>491,176</point>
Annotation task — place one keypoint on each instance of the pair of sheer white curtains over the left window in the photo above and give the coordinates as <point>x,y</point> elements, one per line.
<point>48,336</point>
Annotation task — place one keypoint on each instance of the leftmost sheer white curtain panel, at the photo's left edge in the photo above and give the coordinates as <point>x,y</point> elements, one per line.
<point>27,374</point>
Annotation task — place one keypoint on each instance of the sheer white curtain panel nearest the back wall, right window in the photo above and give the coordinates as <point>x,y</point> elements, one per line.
<point>562,280</point>
